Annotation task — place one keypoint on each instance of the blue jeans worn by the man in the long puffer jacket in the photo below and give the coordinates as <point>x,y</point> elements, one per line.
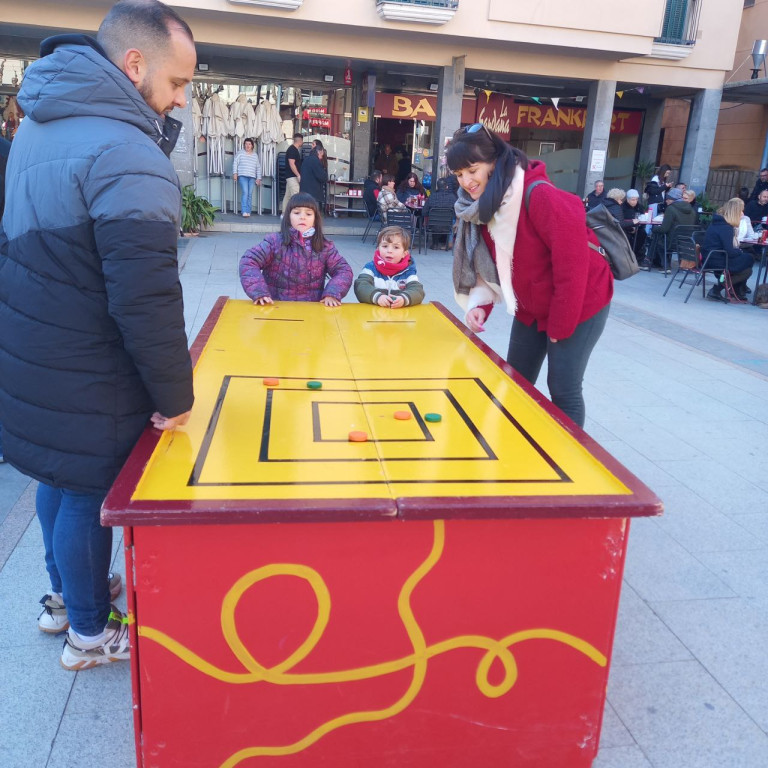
<point>77,554</point>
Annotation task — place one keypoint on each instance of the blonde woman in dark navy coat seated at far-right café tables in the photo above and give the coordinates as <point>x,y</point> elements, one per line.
<point>721,238</point>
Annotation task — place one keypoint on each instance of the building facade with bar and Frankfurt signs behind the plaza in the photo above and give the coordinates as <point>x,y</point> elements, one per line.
<point>583,88</point>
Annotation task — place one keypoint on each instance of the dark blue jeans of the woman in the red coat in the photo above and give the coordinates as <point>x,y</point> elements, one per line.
<point>567,360</point>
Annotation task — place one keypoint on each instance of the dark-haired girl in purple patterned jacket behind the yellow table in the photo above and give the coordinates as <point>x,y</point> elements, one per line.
<point>292,265</point>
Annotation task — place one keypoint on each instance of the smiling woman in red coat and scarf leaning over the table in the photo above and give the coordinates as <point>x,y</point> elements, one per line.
<point>532,255</point>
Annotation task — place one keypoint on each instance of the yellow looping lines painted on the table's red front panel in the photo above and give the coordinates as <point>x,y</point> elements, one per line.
<point>417,660</point>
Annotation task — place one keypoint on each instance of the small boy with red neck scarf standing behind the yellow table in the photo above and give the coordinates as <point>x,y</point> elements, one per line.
<point>390,280</point>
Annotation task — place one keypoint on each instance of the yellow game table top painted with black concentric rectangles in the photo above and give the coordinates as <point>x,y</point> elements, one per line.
<point>248,441</point>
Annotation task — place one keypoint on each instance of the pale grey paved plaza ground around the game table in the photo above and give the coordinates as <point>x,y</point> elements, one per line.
<point>676,392</point>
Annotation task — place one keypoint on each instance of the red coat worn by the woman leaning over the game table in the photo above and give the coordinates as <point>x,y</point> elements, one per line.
<point>559,281</point>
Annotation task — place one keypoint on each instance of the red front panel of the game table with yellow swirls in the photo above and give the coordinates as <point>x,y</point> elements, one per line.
<point>557,580</point>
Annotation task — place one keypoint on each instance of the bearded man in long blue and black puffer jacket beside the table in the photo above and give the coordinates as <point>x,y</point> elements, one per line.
<point>92,340</point>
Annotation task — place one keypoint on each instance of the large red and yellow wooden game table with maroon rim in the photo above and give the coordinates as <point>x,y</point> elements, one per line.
<point>443,593</point>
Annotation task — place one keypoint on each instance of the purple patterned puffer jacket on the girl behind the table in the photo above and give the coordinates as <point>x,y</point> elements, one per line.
<point>293,272</point>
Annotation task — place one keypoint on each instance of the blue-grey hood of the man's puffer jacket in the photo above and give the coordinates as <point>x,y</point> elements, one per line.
<point>75,78</point>
